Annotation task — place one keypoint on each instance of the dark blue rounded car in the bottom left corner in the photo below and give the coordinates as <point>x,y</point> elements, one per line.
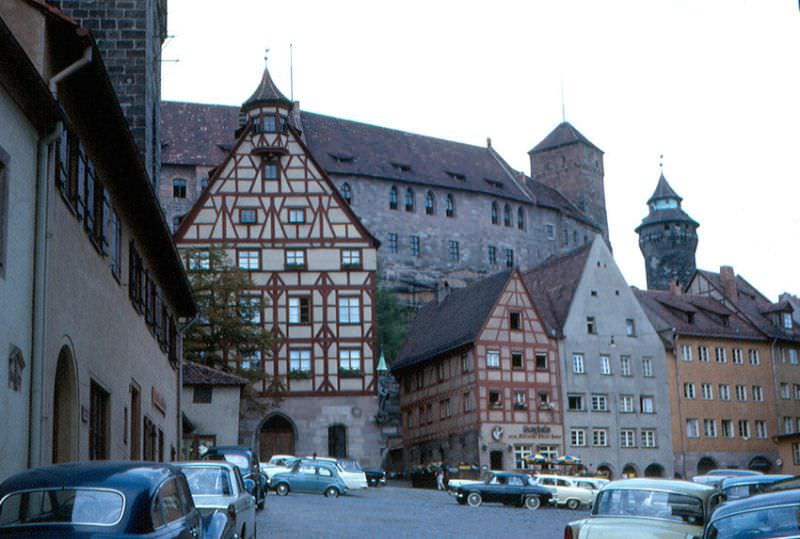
<point>130,499</point>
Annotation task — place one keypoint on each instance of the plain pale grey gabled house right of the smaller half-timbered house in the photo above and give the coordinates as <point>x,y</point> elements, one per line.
<point>616,403</point>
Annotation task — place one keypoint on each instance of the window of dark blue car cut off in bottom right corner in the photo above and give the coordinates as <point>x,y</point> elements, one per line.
<point>759,524</point>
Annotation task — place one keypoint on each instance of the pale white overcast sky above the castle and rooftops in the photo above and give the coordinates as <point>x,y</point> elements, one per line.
<point>712,85</point>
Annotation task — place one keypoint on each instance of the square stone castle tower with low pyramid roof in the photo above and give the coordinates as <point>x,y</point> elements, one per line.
<point>566,161</point>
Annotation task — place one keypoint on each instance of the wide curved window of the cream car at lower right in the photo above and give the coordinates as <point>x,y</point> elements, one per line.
<point>653,504</point>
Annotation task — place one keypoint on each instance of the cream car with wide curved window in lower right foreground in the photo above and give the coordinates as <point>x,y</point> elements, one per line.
<point>647,509</point>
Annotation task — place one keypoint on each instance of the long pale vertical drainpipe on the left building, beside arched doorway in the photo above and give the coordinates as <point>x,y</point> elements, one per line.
<point>38,301</point>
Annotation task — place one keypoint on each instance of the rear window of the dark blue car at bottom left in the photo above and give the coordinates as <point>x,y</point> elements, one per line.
<point>62,506</point>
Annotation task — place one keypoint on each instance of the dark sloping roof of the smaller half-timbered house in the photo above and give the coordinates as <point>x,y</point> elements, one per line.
<point>455,322</point>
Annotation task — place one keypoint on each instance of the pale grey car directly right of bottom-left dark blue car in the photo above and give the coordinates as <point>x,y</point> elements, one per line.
<point>218,486</point>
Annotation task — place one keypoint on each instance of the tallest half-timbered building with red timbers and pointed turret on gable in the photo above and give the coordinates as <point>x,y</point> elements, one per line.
<point>312,265</point>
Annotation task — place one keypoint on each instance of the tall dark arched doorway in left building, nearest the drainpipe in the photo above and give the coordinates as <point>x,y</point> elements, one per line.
<point>65,409</point>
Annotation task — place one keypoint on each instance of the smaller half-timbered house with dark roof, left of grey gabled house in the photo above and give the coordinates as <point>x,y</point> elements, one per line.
<point>479,379</point>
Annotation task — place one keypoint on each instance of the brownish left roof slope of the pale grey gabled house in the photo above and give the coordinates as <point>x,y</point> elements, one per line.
<point>553,283</point>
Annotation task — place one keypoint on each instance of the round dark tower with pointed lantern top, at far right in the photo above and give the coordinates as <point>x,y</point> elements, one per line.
<point>667,239</point>
